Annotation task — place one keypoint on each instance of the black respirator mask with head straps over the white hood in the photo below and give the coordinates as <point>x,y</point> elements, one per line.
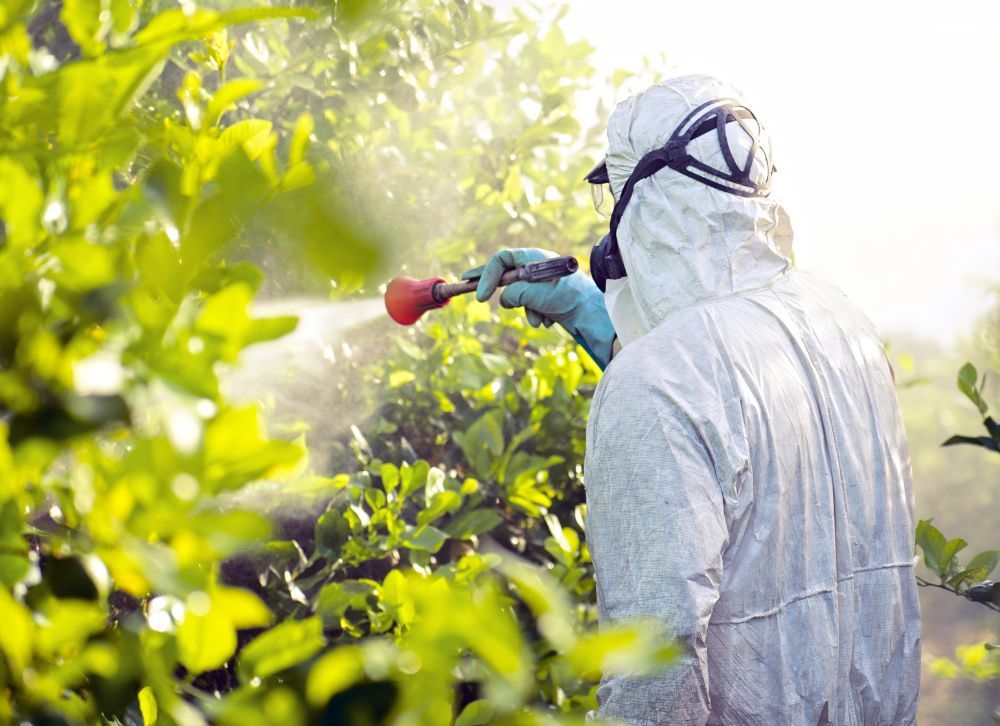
<point>729,120</point>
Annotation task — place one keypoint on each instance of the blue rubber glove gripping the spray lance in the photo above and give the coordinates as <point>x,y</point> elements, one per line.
<point>574,301</point>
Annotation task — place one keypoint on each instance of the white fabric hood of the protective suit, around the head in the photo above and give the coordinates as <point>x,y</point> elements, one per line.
<point>682,241</point>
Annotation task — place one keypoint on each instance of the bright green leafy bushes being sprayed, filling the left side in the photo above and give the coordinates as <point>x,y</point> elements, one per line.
<point>148,152</point>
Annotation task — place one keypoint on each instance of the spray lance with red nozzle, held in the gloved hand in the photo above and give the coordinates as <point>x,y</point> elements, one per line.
<point>407,299</point>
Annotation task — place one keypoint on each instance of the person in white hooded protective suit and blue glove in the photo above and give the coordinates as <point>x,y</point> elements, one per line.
<point>747,474</point>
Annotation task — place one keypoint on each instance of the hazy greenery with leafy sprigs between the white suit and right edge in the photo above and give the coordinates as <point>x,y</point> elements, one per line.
<point>962,689</point>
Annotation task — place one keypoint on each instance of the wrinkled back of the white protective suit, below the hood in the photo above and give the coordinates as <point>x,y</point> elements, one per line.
<point>783,637</point>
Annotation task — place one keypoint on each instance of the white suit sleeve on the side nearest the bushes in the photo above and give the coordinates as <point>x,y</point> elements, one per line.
<point>656,529</point>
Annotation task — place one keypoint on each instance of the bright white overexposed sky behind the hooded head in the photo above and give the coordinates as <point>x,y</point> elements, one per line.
<point>885,120</point>
